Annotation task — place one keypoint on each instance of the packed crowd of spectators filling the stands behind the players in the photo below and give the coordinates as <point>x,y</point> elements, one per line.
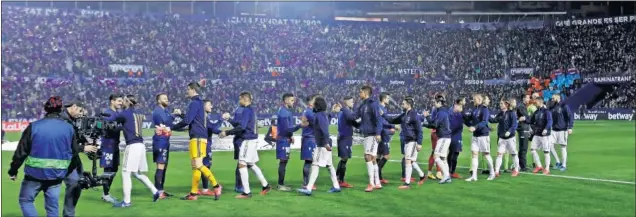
<point>233,57</point>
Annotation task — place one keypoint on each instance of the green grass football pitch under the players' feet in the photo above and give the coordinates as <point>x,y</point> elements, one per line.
<point>599,182</point>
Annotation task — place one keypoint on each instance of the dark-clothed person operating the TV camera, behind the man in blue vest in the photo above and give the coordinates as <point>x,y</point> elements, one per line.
<point>72,111</point>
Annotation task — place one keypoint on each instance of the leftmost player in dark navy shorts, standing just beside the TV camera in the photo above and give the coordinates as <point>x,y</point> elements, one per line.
<point>110,146</point>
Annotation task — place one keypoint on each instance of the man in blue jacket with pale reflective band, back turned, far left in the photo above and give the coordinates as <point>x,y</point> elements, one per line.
<point>49,147</point>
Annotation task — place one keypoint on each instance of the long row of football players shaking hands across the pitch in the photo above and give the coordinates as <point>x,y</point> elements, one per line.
<point>369,118</point>
